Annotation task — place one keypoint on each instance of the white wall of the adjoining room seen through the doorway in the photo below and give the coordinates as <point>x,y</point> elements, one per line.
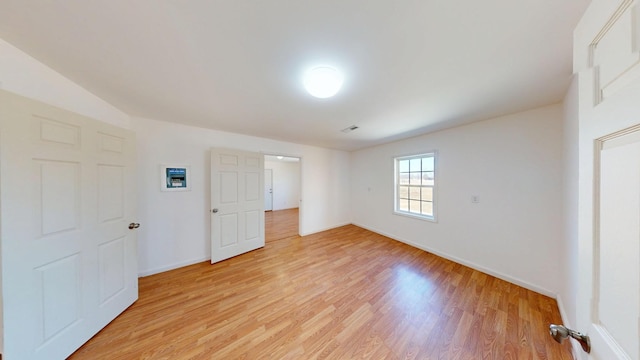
<point>286,183</point>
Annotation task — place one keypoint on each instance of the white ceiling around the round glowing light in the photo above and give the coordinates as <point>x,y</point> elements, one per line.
<point>411,66</point>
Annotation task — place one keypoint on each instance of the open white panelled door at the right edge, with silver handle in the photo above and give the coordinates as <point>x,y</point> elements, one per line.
<point>608,60</point>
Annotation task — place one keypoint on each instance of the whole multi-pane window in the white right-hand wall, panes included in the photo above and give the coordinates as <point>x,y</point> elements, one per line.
<point>415,180</point>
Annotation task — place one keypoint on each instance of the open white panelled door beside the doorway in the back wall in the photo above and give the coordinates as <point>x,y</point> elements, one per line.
<point>237,203</point>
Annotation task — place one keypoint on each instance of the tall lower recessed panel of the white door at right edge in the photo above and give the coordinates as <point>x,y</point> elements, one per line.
<point>616,284</point>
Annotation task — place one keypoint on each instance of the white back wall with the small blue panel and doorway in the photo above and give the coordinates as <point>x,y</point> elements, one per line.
<point>175,225</point>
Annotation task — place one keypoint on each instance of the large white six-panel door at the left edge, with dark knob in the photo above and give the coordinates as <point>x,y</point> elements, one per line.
<point>67,194</point>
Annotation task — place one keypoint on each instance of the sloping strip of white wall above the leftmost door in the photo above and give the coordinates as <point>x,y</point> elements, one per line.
<point>23,75</point>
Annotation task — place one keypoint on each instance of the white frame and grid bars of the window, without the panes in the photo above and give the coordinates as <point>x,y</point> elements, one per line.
<point>397,187</point>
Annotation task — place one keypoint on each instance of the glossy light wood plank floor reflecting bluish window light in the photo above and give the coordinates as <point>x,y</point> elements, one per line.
<point>346,293</point>
